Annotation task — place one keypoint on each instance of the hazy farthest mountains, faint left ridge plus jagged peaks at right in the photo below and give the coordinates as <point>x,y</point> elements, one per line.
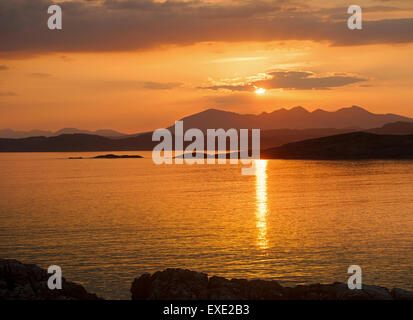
<point>352,118</point>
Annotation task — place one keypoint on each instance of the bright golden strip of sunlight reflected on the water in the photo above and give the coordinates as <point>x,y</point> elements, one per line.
<point>261,202</point>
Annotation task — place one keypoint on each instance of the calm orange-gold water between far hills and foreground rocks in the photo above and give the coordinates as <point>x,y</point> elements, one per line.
<point>107,221</point>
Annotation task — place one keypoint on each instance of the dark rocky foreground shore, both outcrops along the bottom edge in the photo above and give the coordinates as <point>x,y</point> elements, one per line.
<point>20,281</point>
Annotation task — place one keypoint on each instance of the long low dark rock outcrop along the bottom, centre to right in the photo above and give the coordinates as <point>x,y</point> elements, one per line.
<point>179,284</point>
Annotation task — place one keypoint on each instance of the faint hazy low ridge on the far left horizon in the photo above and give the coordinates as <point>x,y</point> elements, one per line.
<point>12,134</point>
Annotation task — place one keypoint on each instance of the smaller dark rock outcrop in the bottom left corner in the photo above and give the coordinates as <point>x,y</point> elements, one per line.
<point>20,281</point>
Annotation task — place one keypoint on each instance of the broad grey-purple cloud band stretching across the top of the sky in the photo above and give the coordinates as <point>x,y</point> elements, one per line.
<point>121,25</point>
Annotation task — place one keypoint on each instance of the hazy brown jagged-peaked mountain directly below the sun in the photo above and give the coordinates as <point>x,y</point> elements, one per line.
<point>295,118</point>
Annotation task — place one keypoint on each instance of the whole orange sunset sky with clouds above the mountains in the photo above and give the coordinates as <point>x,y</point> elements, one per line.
<point>140,65</point>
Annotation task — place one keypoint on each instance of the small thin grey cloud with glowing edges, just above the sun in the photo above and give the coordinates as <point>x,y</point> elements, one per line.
<point>293,80</point>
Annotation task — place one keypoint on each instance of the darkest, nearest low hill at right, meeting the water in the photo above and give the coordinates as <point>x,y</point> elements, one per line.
<point>355,145</point>
